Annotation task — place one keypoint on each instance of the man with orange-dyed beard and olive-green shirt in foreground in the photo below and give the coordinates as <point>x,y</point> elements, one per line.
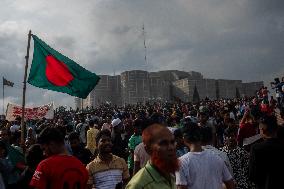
<point>158,172</point>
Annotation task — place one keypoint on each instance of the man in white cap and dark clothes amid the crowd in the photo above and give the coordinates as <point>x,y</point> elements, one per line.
<point>118,148</point>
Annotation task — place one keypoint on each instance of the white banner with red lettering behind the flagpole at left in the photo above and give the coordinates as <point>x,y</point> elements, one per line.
<point>14,111</point>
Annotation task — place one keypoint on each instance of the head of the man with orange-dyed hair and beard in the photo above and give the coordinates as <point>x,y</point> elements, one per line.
<point>160,145</point>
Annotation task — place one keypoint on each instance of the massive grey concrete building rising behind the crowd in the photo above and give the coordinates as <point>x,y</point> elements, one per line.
<point>138,86</point>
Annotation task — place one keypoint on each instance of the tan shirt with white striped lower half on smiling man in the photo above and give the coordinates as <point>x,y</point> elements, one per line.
<point>107,176</point>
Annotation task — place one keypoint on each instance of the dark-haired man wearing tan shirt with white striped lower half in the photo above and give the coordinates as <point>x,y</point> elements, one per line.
<point>107,170</point>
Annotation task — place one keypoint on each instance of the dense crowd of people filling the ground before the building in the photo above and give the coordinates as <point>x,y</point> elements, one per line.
<point>212,144</point>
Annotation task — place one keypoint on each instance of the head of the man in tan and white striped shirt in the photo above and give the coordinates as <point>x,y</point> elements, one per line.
<point>103,140</point>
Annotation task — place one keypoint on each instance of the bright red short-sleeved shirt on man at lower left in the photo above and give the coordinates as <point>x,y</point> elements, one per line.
<point>58,171</point>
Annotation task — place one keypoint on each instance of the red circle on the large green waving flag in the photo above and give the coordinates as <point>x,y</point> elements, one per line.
<point>57,72</point>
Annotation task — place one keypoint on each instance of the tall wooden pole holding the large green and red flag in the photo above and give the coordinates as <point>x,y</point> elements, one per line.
<point>24,90</point>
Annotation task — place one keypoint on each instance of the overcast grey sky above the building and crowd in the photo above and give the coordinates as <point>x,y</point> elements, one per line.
<point>230,39</point>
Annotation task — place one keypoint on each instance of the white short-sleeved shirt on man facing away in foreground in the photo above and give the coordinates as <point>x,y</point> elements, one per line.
<point>199,170</point>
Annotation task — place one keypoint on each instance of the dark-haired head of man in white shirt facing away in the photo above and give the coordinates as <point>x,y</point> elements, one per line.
<point>192,134</point>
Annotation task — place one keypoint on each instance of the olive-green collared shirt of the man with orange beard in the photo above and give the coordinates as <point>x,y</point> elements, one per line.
<point>148,177</point>
